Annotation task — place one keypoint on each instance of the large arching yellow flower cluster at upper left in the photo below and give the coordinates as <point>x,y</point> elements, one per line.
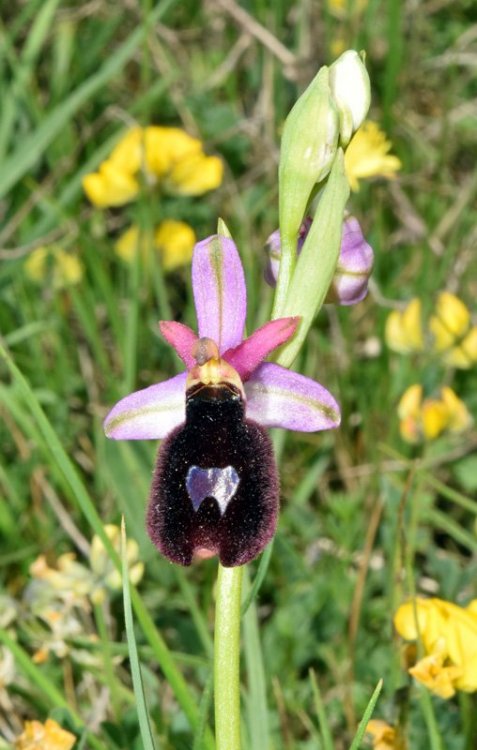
<point>163,155</point>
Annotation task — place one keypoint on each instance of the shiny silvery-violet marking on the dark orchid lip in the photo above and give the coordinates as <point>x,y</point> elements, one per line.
<point>221,484</point>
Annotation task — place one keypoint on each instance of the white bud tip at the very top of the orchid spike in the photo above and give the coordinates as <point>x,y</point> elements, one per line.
<point>351,91</point>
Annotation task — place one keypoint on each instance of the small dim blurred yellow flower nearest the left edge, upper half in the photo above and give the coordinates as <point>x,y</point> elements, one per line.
<point>64,269</point>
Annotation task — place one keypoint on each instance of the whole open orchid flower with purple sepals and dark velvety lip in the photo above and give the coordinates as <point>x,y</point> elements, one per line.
<point>215,488</point>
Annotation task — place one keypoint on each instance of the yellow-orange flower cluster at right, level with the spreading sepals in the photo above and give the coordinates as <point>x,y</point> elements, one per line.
<point>428,418</point>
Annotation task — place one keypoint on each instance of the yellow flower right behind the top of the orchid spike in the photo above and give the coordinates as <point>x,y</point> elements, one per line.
<point>367,156</point>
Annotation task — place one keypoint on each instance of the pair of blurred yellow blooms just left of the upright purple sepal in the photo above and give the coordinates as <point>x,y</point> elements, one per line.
<point>173,240</point>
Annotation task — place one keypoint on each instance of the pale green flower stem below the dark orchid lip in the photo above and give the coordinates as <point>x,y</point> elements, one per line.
<point>227,658</point>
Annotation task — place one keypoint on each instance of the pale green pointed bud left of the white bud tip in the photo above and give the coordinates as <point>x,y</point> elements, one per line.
<point>309,143</point>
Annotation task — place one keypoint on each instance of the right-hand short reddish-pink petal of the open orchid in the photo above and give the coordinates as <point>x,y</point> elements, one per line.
<point>246,357</point>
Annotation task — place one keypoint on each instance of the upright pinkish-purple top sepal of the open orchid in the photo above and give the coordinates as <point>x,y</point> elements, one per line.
<point>219,291</point>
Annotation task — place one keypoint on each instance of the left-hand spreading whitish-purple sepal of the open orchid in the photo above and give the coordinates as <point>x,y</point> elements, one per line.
<point>149,414</point>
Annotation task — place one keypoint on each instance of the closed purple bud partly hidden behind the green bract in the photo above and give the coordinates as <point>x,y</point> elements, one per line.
<point>355,262</point>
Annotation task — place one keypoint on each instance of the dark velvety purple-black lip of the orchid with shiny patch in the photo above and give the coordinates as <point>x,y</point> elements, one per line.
<point>215,485</point>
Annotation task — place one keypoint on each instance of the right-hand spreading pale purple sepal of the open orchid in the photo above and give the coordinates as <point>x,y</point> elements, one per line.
<point>277,397</point>
